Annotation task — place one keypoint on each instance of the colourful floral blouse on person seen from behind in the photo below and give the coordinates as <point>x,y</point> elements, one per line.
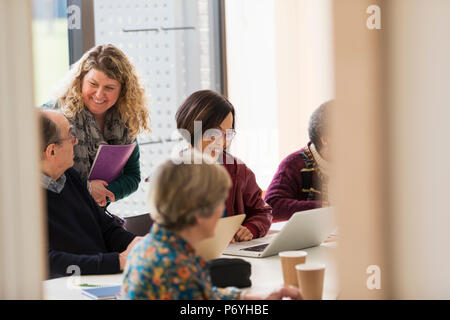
<point>164,266</point>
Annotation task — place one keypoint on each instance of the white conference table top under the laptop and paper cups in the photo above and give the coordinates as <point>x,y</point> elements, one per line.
<point>266,275</point>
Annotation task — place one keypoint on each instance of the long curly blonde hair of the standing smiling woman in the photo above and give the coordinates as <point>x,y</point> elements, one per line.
<point>132,102</point>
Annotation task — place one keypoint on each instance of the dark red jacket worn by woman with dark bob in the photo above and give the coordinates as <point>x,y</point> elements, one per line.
<point>245,197</point>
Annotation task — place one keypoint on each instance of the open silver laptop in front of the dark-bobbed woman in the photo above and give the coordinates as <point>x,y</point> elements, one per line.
<point>303,230</point>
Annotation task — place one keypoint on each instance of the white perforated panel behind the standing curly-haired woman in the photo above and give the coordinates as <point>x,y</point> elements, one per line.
<point>169,43</point>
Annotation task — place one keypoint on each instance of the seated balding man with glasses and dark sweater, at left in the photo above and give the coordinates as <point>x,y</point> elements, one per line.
<point>80,234</point>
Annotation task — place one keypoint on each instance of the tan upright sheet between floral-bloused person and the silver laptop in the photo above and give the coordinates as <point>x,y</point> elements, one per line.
<point>226,228</point>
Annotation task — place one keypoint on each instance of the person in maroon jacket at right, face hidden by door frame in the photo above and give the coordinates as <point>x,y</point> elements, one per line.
<point>301,180</point>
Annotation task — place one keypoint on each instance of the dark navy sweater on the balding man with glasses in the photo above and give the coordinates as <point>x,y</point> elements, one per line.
<point>80,233</point>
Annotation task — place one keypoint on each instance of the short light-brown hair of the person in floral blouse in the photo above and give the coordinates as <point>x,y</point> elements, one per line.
<point>180,192</point>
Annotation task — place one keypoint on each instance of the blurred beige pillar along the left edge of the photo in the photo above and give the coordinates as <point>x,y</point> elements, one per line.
<point>22,235</point>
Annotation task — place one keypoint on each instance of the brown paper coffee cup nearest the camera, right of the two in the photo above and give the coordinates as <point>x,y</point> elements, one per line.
<point>310,280</point>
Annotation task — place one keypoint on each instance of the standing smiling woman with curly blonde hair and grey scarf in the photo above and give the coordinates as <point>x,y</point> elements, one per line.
<point>105,103</point>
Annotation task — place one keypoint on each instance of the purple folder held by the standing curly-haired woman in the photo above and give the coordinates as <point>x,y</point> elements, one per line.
<point>109,161</point>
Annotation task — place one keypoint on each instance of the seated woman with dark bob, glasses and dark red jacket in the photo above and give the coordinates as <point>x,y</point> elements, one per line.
<point>207,121</point>
